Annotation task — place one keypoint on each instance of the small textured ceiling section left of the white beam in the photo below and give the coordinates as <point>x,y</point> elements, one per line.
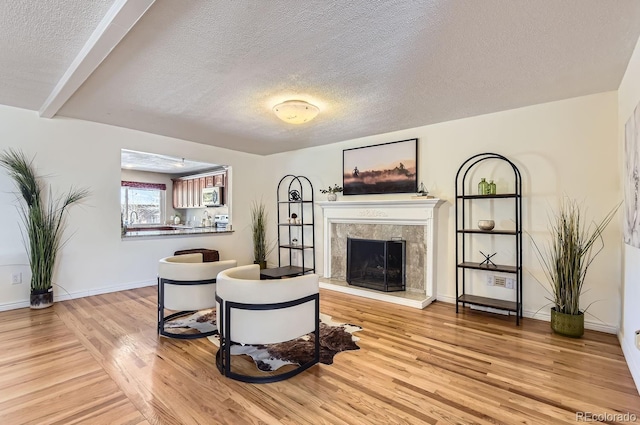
<point>38,41</point>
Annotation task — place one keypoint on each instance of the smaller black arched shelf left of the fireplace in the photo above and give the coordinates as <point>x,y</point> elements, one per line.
<point>296,235</point>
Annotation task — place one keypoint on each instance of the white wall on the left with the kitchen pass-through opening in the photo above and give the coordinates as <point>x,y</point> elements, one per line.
<point>95,259</point>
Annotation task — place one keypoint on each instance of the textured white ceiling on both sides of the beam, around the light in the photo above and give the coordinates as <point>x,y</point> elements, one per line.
<point>210,71</point>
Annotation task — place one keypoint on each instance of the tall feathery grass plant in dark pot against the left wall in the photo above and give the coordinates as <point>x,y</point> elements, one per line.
<point>43,217</point>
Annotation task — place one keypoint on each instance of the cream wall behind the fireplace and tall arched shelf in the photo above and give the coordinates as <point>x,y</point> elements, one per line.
<point>566,147</point>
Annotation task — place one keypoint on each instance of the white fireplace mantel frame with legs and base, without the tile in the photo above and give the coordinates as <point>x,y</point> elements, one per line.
<point>418,212</point>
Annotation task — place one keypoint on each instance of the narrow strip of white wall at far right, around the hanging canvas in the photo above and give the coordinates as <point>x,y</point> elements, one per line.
<point>628,99</point>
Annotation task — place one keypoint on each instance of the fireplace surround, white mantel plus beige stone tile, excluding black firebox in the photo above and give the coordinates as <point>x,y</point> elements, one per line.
<point>413,220</point>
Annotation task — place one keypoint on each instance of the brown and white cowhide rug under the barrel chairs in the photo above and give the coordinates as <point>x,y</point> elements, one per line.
<point>334,338</point>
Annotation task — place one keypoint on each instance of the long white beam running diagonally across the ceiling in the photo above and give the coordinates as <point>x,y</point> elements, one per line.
<point>120,18</point>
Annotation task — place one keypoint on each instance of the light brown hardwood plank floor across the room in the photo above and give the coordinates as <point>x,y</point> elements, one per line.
<point>97,360</point>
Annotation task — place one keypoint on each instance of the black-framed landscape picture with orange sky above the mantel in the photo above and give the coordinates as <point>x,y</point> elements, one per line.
<point>386,168</point>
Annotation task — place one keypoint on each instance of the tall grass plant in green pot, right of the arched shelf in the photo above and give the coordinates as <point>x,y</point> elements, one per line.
<point>566,260</point>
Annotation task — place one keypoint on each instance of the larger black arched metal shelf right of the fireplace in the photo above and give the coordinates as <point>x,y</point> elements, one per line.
<point>465,230</point>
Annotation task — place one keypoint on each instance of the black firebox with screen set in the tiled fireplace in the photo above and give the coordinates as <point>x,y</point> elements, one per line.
<point>376,264</point>
